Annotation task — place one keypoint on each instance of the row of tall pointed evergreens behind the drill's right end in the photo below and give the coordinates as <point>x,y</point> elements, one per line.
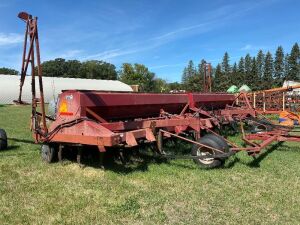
<point>263,71</point>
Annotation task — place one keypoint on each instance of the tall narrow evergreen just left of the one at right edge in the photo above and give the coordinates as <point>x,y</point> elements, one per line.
<point>279,67</point>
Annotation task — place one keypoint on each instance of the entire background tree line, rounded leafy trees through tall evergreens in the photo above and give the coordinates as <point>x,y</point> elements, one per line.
<point>262,71</point>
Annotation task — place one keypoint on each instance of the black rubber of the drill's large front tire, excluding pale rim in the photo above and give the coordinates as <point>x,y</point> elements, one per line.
<point>212,142</point>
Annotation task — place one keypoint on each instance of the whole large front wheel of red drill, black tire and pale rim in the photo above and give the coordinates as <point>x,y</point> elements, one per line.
<point>211,142</point>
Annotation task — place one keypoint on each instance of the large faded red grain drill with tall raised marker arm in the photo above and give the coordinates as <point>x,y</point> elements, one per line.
<point>118,121</point>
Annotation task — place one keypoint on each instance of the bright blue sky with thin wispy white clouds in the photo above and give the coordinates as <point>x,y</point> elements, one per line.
<point>163,34</point>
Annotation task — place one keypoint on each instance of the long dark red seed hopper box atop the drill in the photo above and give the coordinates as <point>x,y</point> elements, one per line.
<point>121,106</point>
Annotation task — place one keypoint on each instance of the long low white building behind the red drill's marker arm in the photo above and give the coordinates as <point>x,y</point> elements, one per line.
<point>10,85</point>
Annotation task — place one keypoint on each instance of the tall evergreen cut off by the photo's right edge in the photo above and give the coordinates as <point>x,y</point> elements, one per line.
<point>294,67</point>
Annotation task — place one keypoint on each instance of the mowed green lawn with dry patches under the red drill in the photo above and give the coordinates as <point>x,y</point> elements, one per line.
<point>265,190</point>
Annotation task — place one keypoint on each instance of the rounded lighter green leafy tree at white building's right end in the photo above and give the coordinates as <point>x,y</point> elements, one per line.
<point>138,74</point>
